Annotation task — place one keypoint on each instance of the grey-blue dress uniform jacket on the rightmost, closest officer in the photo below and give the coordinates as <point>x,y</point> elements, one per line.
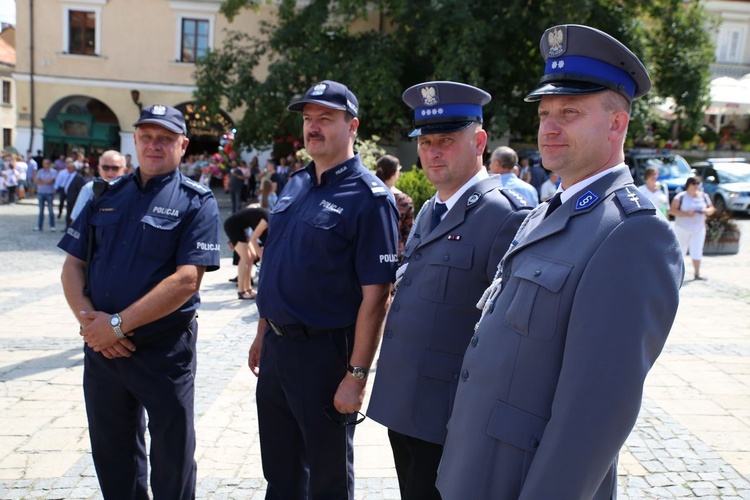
<point>536,415</point>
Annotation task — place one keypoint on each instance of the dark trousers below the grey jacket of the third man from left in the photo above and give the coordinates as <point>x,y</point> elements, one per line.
<point>416,465</point>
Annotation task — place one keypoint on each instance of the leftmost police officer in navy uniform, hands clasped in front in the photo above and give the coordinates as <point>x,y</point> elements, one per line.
<point>153,235</point>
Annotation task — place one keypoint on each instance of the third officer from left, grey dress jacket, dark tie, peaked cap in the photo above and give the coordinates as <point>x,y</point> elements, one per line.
<point>445,271</point>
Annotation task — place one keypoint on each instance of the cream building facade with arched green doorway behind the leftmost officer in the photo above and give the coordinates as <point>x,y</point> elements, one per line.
<point>91,65</point>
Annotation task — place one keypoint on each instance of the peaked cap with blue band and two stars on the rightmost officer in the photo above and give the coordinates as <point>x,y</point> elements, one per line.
<point>583,60</point>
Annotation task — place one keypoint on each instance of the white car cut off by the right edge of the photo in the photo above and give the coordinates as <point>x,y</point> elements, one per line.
<point>727,183</point>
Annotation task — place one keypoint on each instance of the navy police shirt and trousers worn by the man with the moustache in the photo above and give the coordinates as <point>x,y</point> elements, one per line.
<point>325,242</point>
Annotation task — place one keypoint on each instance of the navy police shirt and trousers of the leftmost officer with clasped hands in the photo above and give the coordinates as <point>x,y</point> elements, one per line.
<point>141,235</point>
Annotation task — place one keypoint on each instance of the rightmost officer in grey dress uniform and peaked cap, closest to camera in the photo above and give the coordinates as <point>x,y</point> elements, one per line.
<point>551,382</point>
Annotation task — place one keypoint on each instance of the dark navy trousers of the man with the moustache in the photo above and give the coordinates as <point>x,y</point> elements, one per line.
<point>305,455</point>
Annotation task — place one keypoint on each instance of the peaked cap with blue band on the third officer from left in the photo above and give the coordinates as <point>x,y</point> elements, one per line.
<point>444,107</point>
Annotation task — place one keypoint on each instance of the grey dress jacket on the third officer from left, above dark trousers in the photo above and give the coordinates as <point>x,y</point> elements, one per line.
<point>433,313</point>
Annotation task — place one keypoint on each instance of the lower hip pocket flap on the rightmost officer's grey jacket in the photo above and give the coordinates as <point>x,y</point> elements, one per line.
<point>516,427</point>
